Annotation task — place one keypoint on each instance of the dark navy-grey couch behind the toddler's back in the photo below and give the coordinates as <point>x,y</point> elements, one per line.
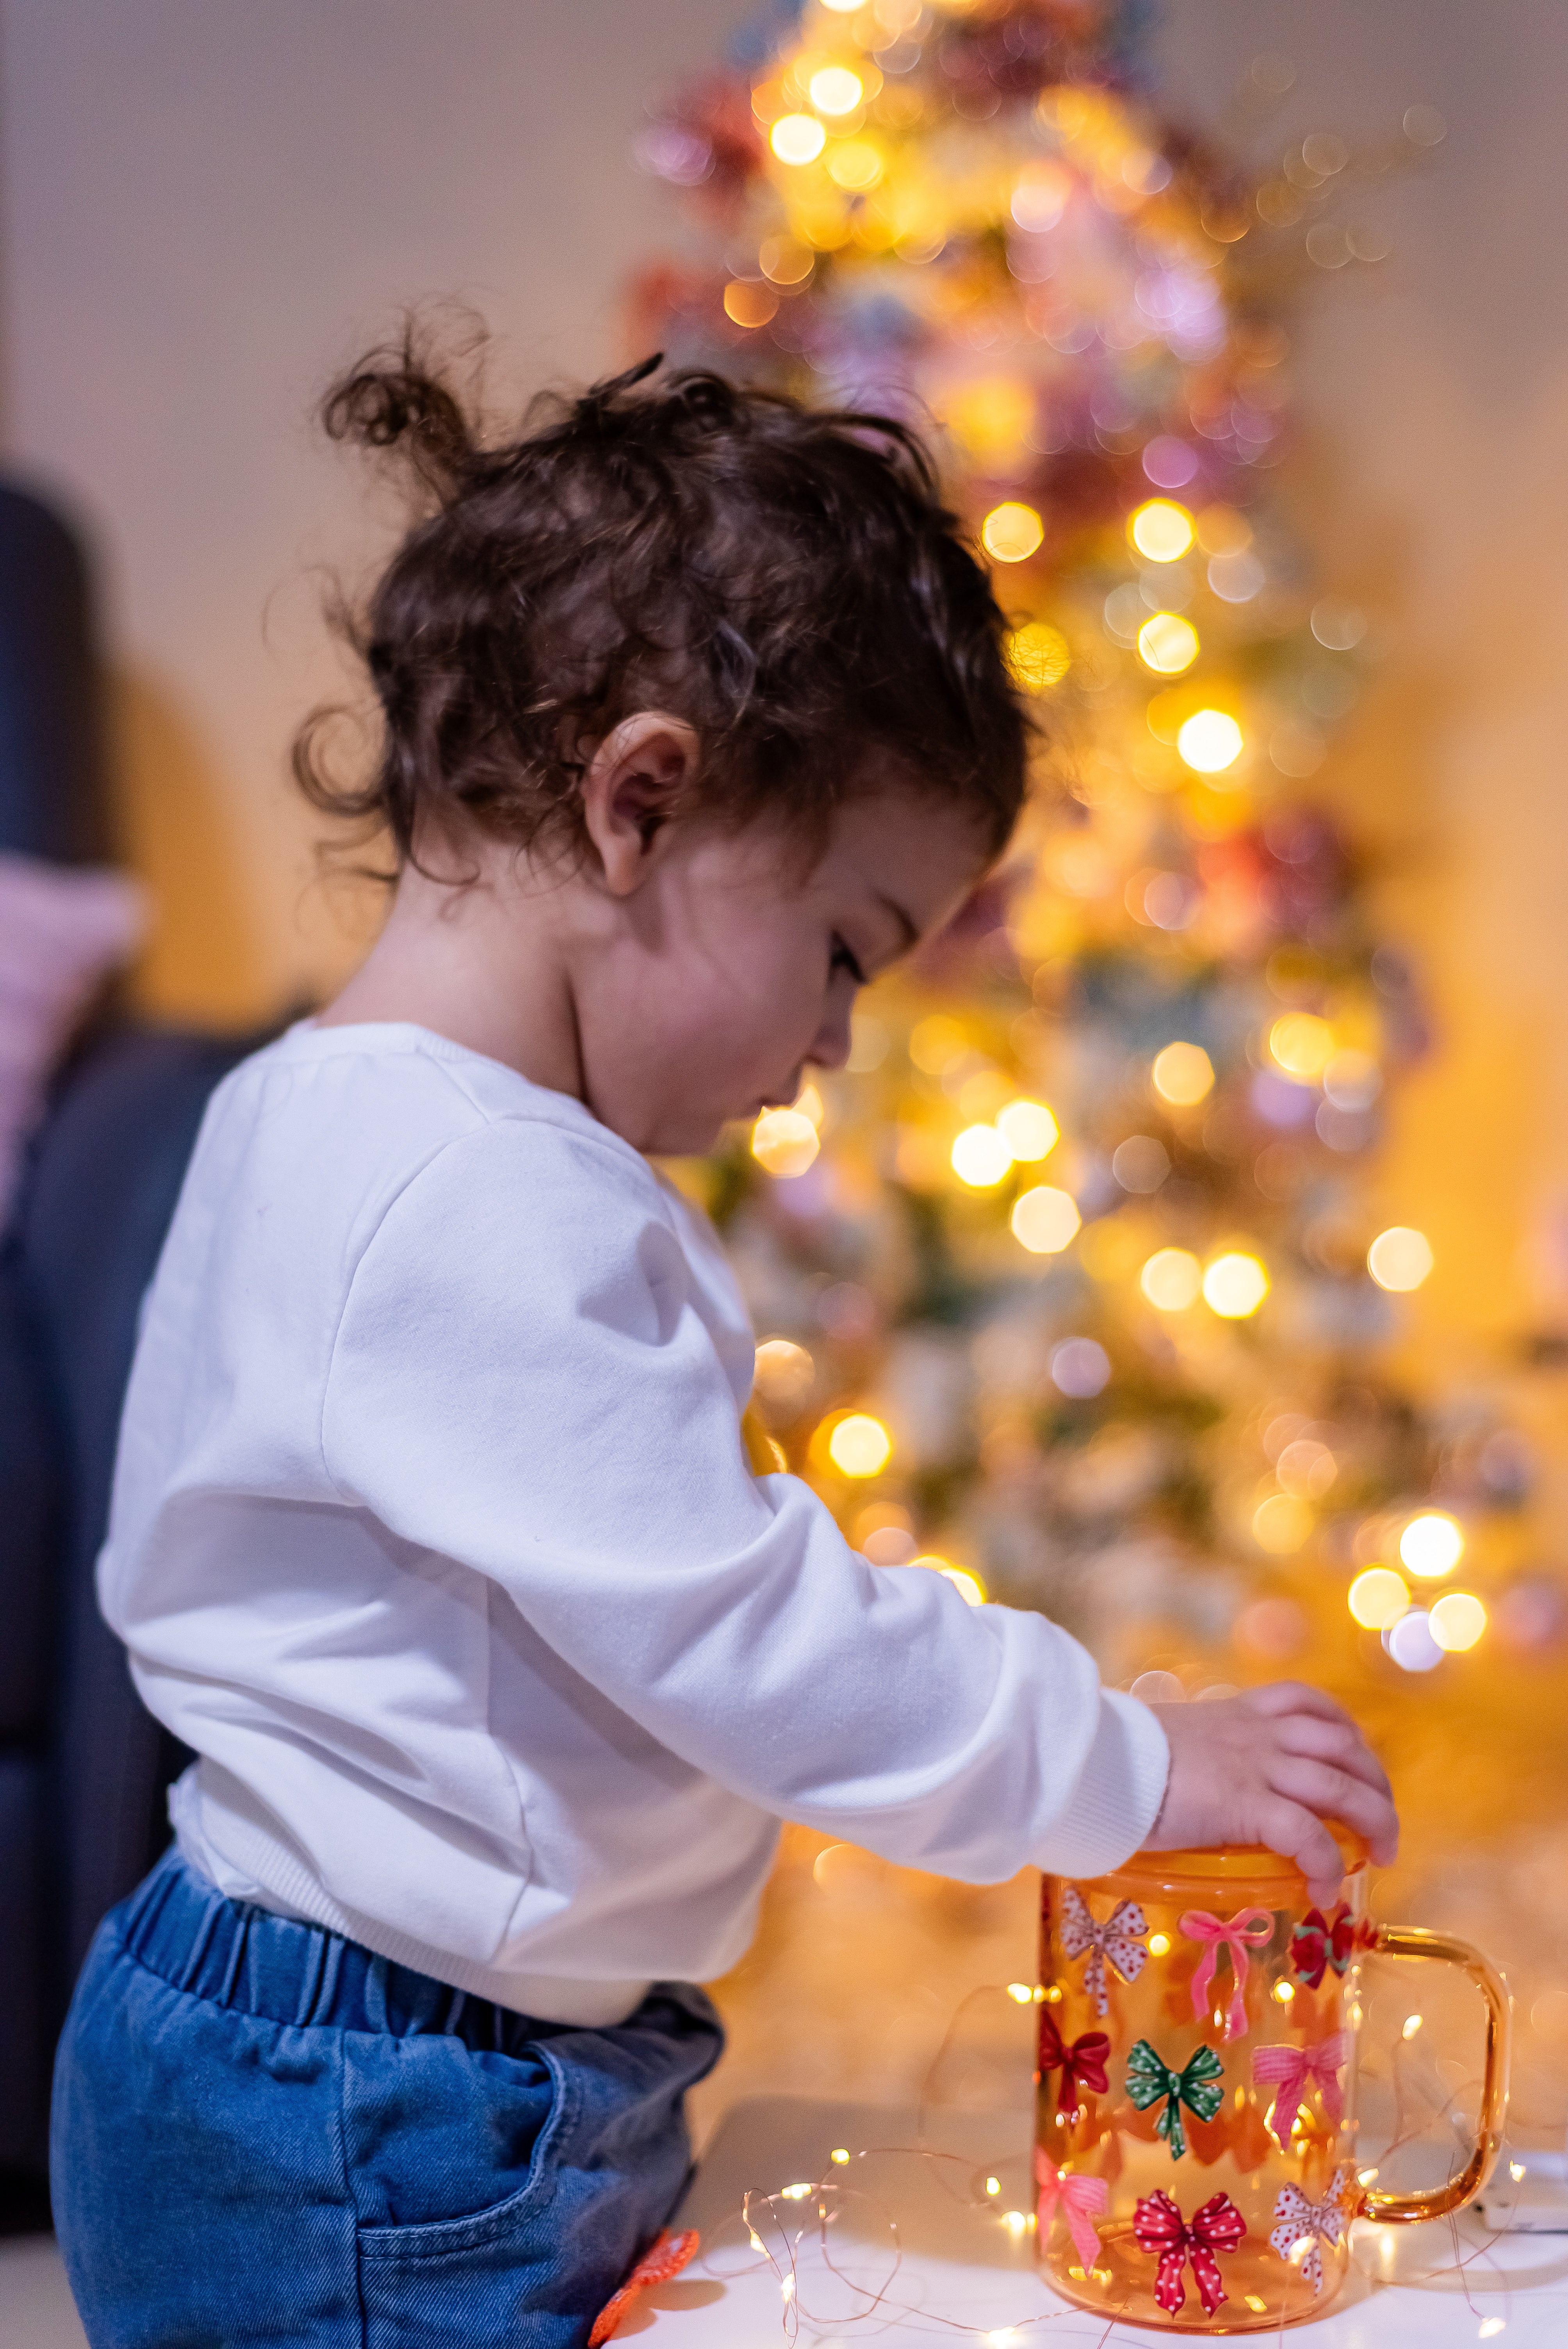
<point>83,1768</point>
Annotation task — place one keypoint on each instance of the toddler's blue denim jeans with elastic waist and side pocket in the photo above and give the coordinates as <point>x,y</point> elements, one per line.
<point>266,2134</point>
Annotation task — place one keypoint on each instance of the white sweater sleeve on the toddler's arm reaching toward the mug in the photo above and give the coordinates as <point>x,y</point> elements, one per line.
<point>522,1382</point>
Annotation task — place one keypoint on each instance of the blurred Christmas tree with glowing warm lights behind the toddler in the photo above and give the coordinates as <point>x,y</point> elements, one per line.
<point>1069,1284</point>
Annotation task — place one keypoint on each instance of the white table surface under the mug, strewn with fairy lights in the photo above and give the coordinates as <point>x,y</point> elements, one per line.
<point>961,2275</point>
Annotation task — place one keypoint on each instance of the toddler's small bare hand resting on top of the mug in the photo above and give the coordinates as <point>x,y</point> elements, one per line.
<point>1269,1768</point>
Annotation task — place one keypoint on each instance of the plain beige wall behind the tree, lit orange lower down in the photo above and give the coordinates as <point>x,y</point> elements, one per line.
<point>210,203</point>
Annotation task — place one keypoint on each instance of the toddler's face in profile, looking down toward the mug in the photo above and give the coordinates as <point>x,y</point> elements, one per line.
<point>734,971</point>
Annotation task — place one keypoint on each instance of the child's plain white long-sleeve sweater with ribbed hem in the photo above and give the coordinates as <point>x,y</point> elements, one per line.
<point>435,1537</point>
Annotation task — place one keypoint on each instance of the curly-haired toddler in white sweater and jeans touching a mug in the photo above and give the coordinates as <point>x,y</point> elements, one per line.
<point>433,1523</point>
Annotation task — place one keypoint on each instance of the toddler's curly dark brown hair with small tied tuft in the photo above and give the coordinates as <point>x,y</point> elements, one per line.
<point>785,579</point>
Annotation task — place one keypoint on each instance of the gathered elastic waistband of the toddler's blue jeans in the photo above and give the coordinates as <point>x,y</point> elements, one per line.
<point>201,1941</point>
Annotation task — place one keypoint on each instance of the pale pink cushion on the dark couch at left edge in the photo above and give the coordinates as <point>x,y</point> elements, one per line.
<point>62,934</point>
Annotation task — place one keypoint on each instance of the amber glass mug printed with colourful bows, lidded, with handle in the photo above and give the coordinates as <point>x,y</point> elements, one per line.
<point>1198,2089</point>
